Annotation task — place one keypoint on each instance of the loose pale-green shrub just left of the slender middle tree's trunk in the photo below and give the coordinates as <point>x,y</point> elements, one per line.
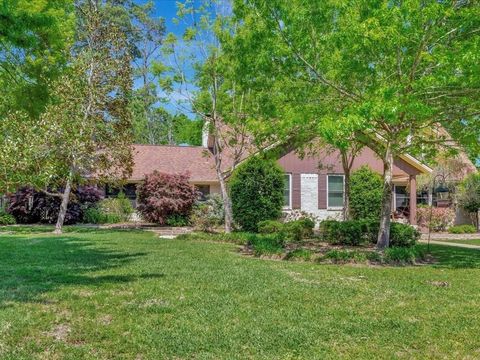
<point>209,214</point>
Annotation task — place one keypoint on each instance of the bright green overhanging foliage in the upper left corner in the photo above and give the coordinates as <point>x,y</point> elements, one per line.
<point>34,38</point>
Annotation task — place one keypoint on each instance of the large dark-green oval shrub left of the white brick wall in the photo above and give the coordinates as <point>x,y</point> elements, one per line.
<point>256,189</point>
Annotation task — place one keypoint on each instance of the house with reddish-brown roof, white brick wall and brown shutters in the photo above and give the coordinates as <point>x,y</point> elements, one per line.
<point>314,184</point>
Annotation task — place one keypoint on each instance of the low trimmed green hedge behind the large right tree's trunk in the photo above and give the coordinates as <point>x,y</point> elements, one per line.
<point>358,232</point>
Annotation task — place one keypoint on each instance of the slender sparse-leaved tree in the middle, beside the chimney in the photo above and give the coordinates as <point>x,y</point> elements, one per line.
<point>209,92</point>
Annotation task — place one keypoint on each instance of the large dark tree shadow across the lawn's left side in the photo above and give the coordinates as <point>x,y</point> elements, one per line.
<point>32,266</point>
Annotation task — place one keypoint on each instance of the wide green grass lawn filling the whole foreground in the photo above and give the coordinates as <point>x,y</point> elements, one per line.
<point>130,295</point>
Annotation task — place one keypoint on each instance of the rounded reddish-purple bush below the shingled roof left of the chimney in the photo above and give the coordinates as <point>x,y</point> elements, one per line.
<point>162,196</point>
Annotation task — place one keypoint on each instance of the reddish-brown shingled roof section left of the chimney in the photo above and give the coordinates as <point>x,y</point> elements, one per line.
<point>195,160</point>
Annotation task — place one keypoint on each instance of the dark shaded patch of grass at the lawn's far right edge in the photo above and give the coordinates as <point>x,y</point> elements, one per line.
<point>455,257</point>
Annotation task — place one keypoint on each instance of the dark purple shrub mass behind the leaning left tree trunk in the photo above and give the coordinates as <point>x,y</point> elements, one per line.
<point>29,206</point>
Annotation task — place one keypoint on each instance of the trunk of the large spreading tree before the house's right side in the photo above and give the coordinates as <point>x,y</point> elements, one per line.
<point>384,231</point>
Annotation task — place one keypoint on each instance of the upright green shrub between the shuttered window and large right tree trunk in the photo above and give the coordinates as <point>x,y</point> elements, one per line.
<point>366,188</point>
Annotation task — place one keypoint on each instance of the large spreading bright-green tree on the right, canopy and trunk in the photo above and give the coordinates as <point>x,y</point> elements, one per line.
<point>396,72</point>
